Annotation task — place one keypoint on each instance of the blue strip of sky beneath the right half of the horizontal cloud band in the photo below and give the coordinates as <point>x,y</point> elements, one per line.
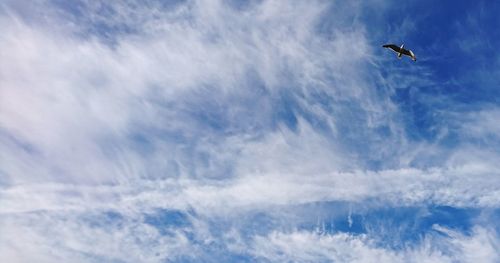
<point>393,227</point>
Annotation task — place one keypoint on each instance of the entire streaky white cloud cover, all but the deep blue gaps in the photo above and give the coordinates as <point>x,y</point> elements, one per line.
<point>181,113</point>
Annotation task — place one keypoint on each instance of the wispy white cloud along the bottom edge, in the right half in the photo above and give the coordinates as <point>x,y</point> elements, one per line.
<point>311,247</point>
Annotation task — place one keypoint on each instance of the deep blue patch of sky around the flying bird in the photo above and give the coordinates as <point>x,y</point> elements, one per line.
<point>440,33</point>
